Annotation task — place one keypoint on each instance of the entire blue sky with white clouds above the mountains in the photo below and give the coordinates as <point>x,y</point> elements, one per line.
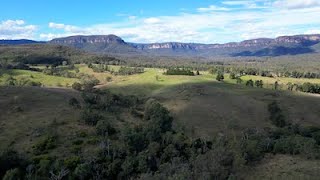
<point>146,21</point>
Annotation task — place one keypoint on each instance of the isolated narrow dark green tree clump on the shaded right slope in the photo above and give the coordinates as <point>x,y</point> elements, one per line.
<point>276,116</point>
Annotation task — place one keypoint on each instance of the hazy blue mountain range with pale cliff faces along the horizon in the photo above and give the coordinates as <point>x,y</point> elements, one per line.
<point>111,44</point>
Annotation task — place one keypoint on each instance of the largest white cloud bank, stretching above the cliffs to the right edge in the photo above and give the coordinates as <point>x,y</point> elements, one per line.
<point>213,24</point>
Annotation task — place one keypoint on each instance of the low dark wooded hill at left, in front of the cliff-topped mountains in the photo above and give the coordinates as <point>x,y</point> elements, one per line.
<point>46,54</point>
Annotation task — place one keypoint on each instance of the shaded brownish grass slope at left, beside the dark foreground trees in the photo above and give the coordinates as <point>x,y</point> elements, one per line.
<point>28,113</point>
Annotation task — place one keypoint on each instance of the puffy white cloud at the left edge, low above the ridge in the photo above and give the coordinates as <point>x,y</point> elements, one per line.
<point>16,29</point>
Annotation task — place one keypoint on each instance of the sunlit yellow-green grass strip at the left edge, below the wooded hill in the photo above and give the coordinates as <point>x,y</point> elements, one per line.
<point>45,80</point>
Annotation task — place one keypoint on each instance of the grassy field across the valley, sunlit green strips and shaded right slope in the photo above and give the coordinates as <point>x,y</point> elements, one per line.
<point>201,104</point>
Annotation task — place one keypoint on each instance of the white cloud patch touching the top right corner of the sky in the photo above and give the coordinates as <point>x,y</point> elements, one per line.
<point>297,4</point>
